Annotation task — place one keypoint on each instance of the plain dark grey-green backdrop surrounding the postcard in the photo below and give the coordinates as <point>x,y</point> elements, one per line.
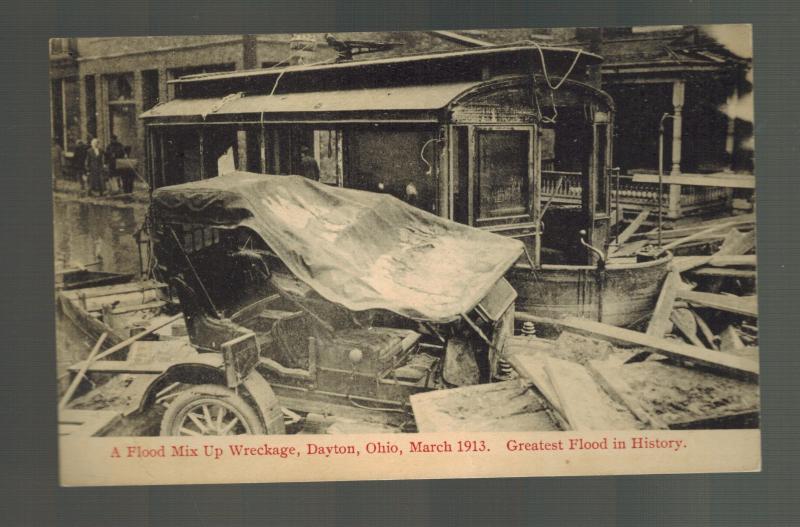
<point>27,366</point>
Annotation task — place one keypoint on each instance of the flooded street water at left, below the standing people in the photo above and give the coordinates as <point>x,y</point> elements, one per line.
<point>88,231</point>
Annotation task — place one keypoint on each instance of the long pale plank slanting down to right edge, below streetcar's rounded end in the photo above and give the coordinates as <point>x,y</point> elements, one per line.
<point>713,360</point>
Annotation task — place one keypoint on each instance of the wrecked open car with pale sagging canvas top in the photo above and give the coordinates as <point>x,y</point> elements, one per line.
<point>300,297</point>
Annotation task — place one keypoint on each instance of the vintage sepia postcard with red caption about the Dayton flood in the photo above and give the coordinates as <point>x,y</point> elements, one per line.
<point>393,255</point>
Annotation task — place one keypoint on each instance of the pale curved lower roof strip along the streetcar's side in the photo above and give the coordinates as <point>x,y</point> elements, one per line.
<point>403,98</point>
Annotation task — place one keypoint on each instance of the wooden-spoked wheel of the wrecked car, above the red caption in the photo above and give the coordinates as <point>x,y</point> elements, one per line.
<point>210,410</point>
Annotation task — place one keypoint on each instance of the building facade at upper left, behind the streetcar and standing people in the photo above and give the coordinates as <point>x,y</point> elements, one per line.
<point>100,86</point>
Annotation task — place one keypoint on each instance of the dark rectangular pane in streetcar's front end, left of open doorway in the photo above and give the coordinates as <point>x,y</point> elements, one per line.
<point>503,173</point>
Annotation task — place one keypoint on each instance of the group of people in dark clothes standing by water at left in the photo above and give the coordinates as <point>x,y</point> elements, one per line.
<point>98,169</point>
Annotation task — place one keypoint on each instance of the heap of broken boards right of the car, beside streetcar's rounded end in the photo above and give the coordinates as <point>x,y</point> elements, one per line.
<point>695,365</point>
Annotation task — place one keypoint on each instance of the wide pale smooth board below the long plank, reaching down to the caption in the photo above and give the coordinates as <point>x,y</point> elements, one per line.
<point>585,405</point>
